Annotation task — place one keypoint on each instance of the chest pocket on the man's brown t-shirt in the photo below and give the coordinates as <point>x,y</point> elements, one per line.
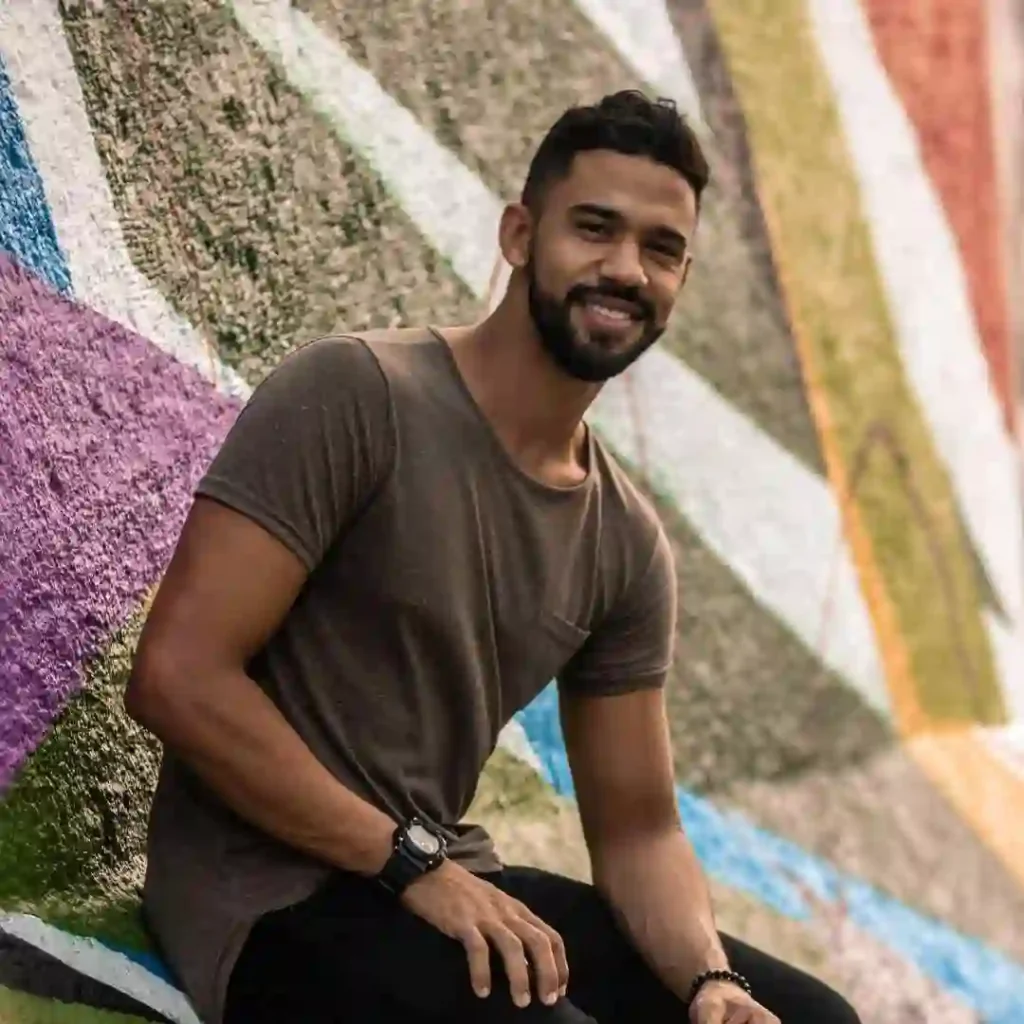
<point>532,652</point>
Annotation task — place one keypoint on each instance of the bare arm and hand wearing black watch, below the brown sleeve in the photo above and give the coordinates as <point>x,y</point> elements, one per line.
<point>229,587</point>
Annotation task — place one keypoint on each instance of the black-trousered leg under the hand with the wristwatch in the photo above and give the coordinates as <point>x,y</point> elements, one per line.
<point>351,955</point>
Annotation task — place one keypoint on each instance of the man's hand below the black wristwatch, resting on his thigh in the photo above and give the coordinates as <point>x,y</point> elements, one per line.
<point>479,915</point>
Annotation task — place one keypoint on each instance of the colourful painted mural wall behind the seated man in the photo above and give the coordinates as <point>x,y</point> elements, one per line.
<point>191,189</point>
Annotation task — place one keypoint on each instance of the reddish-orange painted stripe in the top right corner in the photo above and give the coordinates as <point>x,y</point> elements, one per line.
<point>936,55</point>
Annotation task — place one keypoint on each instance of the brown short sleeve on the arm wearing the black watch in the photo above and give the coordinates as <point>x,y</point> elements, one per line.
<point>311,449</point>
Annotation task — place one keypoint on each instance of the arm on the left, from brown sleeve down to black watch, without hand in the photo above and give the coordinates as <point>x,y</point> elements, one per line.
<point>310,451</point>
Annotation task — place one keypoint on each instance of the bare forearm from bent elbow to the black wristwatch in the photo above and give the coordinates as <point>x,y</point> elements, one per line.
<point>235,739</point>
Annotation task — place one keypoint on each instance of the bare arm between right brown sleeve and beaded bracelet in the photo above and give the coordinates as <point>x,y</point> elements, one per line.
<point>643,863</point>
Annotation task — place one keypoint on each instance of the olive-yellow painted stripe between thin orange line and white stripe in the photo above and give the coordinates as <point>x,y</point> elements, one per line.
<point>812,201</point>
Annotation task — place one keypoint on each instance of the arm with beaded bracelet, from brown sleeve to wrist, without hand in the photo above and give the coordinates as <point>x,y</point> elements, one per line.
<point>616,728</point>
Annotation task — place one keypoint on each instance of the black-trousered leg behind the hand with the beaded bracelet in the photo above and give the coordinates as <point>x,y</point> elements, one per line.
<point>611,982</point>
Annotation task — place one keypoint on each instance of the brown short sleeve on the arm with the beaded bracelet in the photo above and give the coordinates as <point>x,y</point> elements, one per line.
<point>633,647</point>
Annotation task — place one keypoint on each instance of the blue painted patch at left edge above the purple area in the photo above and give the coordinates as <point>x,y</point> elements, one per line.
<point>27,230</point>
